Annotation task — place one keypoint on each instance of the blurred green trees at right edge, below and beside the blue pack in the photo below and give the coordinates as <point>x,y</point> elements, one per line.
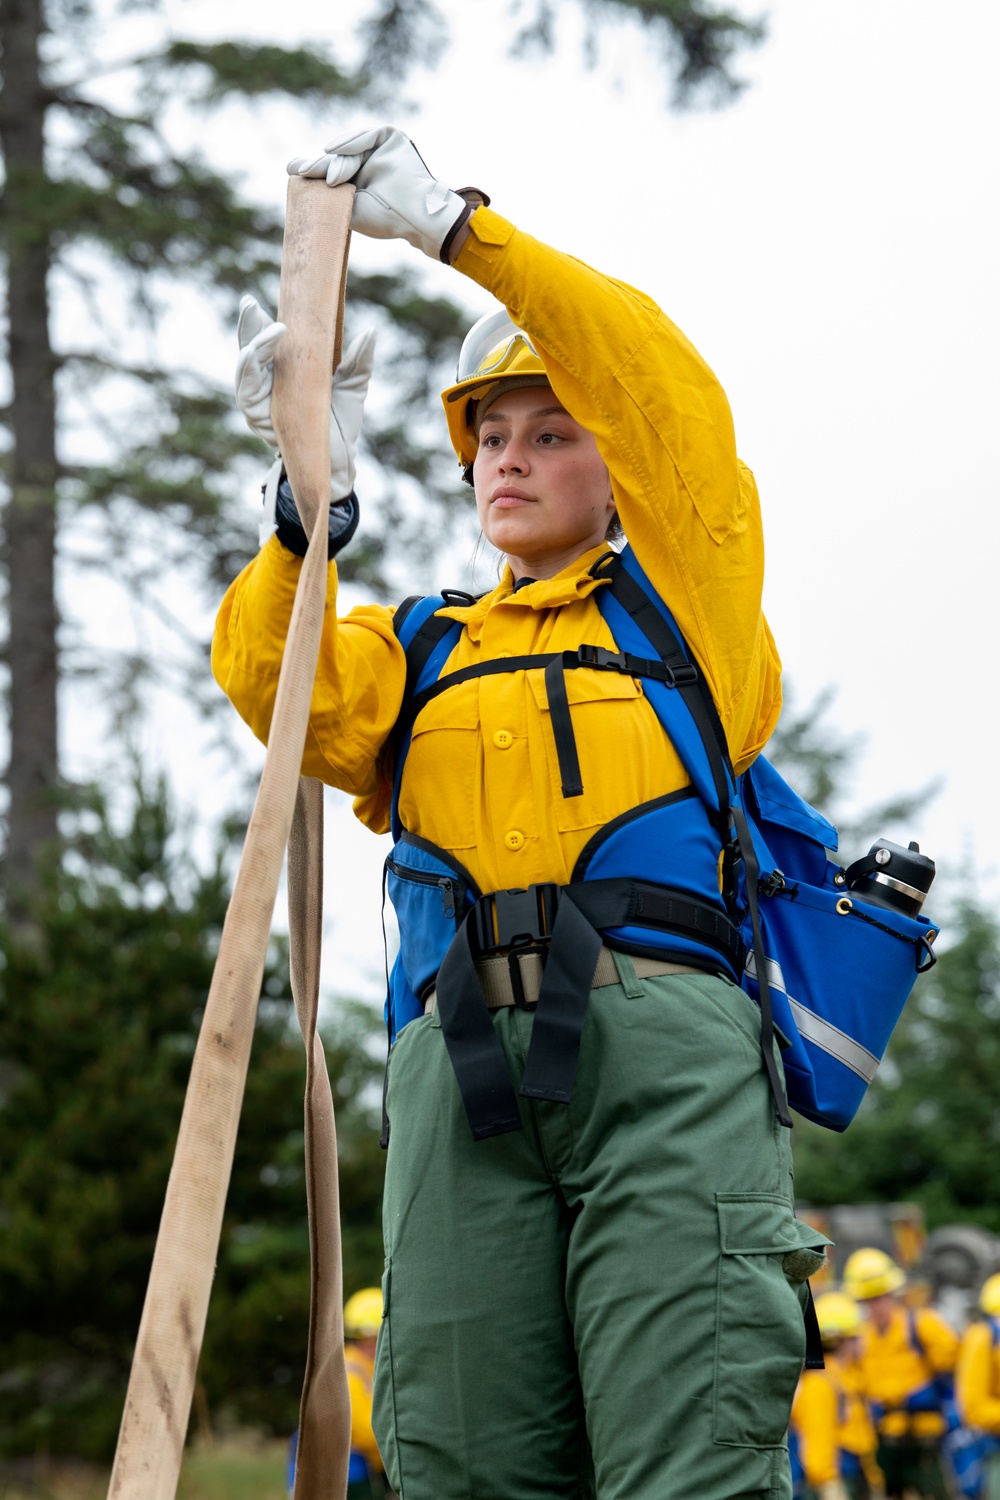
<point>930,1127</point>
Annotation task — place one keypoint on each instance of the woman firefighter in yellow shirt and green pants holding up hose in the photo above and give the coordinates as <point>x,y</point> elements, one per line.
<point>594,1280</point>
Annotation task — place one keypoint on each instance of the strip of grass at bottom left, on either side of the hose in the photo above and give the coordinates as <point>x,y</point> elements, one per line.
<point>233,1469</point>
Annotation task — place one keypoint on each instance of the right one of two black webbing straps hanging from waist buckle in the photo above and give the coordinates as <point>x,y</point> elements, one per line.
<point>563,1000</point>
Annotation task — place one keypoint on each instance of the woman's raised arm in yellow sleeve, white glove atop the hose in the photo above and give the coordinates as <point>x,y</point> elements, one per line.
<point>627,374</point>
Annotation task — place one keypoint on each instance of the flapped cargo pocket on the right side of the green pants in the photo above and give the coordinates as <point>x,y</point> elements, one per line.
<point>759,1325</point>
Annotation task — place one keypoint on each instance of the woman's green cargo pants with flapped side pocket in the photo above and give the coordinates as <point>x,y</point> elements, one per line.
<point>594,1306</point>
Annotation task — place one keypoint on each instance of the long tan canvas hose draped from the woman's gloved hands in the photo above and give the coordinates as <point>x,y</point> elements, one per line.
<point>158,1403</point>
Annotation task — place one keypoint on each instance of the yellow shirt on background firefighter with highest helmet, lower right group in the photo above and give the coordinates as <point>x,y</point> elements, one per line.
<point>894,1369</point>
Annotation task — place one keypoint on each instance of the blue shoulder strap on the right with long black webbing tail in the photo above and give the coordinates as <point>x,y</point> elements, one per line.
<point>639,619</point>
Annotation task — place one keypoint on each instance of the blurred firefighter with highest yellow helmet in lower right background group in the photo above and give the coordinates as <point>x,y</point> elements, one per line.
<point>906,1358</point>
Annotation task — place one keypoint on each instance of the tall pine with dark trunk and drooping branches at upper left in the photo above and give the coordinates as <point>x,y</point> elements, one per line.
<point>100,202</point>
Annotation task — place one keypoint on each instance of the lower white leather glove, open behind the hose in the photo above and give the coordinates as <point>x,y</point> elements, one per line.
<point>260,337</point>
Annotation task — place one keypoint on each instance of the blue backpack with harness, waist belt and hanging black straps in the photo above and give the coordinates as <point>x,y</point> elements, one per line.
<point>707,875</point>
